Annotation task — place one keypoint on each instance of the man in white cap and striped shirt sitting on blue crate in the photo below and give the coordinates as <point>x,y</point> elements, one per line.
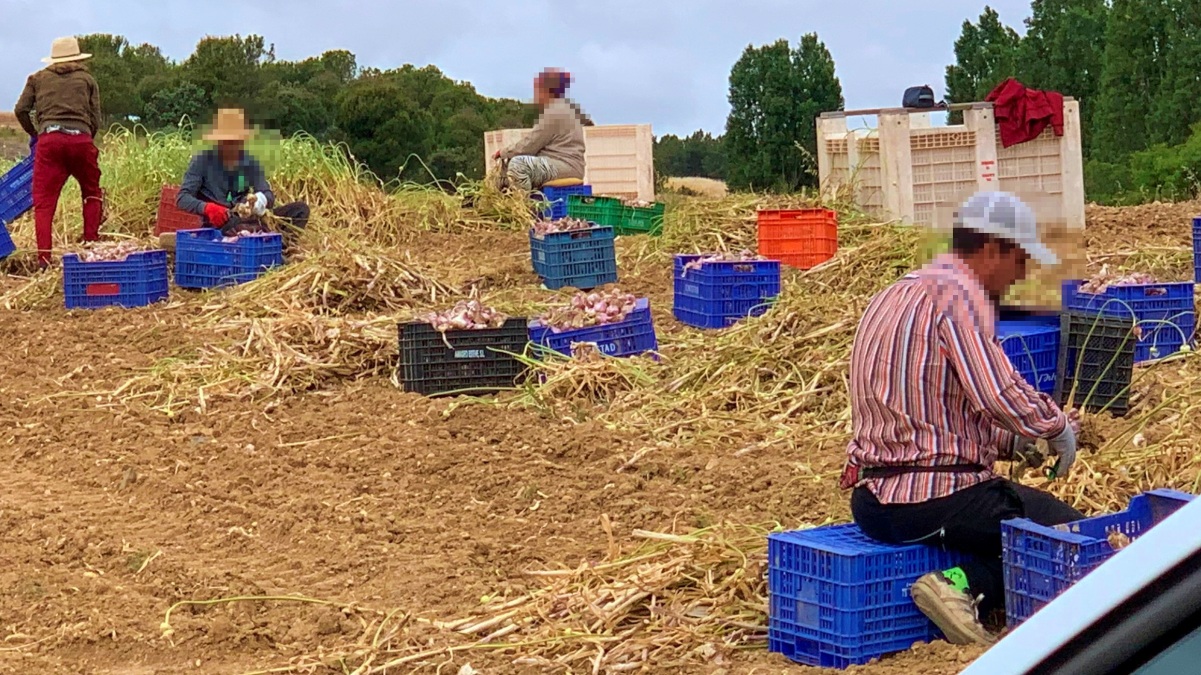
<point>936,403</point>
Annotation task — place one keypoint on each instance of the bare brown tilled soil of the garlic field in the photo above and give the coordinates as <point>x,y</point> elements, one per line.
<point>391,515</point>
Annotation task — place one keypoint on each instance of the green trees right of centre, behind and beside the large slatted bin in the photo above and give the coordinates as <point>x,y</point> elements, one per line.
<point>1132,64</point>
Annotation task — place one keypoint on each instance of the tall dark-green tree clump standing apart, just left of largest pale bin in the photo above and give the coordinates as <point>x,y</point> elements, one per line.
<point>775,95</point>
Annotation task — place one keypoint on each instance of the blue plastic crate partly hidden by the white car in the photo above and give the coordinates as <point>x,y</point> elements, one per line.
<point>1043,563</point>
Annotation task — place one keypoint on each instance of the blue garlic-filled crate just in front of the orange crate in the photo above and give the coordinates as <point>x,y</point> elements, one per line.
<point>721,294</point>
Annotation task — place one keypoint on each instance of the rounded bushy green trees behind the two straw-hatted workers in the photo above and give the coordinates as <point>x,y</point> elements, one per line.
<point>386,118</point>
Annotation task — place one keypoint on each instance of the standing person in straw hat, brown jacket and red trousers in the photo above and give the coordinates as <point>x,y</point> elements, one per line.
<point>65,100</point>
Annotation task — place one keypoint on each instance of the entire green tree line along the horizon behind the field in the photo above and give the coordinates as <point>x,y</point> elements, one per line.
<point>1133,65</point>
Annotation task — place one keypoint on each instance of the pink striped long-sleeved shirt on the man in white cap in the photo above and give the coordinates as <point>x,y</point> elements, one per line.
<point>931,386</point>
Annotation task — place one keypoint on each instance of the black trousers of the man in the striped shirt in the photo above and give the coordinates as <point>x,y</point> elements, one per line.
<point>969,522</point>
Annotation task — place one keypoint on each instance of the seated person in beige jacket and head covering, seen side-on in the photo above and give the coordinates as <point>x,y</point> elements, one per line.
<point>553,153</point>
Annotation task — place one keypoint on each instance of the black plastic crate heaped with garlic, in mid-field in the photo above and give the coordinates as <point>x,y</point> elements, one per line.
<point>462,362</point>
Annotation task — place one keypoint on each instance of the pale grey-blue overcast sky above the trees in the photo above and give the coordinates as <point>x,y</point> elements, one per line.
<point>636,62</point>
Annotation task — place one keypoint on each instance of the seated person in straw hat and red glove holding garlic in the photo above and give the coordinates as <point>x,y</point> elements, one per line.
<point>222,178</point>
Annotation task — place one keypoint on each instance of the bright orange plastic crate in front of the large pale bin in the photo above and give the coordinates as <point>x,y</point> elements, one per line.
<point>800,238</point>
